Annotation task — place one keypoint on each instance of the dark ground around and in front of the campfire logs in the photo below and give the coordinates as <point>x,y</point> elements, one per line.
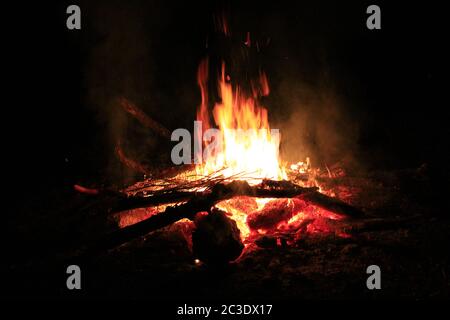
<point>413,255</point>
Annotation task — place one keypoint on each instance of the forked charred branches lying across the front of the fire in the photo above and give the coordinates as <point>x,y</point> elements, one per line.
<point>194,202</point>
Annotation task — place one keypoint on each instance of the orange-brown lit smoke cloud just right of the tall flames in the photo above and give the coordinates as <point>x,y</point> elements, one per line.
<point>319,125</point>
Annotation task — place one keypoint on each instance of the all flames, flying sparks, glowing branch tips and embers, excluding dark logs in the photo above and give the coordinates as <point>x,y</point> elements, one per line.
<point>248,150</point>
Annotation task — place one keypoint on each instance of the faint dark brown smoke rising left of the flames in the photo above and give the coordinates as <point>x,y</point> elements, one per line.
<point>121,63</point>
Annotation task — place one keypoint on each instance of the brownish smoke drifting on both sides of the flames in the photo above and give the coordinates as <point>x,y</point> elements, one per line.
<point>148,52</point>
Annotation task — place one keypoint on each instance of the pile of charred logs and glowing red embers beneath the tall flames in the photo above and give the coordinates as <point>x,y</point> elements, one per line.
<point>224,218</point>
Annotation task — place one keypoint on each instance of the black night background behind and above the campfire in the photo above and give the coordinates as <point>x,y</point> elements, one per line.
<point>59,127</point>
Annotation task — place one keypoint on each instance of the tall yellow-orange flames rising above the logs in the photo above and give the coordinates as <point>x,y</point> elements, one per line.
<point>249,148</point>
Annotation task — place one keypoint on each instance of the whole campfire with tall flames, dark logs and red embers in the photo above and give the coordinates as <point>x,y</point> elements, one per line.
<point>235,193</point>
